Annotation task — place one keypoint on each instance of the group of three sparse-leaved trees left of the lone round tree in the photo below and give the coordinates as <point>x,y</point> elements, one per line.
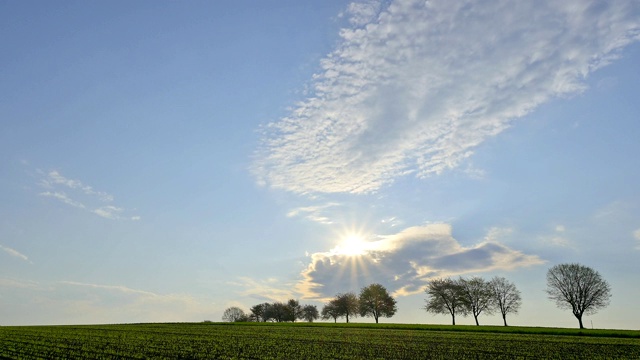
<point>464,296</point>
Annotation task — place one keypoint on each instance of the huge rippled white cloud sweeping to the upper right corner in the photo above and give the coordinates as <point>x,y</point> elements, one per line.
<point>414,87</point>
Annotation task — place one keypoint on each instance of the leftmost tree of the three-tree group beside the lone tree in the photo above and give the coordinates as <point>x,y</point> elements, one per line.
<point>444,296</point>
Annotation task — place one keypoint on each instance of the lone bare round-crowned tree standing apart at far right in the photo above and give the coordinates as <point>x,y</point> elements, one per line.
<point>579,288</point>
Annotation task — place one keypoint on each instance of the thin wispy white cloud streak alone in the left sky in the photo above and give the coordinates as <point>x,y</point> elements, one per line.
<point>92,200</point>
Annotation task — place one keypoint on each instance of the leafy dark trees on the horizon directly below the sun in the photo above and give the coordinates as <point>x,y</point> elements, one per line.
<point>374,301</point>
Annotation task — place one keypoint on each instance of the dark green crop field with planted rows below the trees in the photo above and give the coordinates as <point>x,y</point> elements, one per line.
<point>315,341</point>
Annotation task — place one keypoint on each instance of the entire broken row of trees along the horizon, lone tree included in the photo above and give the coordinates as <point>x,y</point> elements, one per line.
<point>571,286</point>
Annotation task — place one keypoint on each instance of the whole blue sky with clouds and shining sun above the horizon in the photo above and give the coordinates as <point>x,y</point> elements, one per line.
<point>162,161</point>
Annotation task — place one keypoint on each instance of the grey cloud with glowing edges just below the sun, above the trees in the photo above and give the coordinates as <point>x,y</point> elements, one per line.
<point>405,261</point>
